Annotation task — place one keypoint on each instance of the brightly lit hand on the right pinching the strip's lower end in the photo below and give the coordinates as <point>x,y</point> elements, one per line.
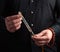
<point>43,37</point>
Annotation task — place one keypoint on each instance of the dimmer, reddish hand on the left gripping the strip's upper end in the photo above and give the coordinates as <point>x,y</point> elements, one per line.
<point>13,23</point>
